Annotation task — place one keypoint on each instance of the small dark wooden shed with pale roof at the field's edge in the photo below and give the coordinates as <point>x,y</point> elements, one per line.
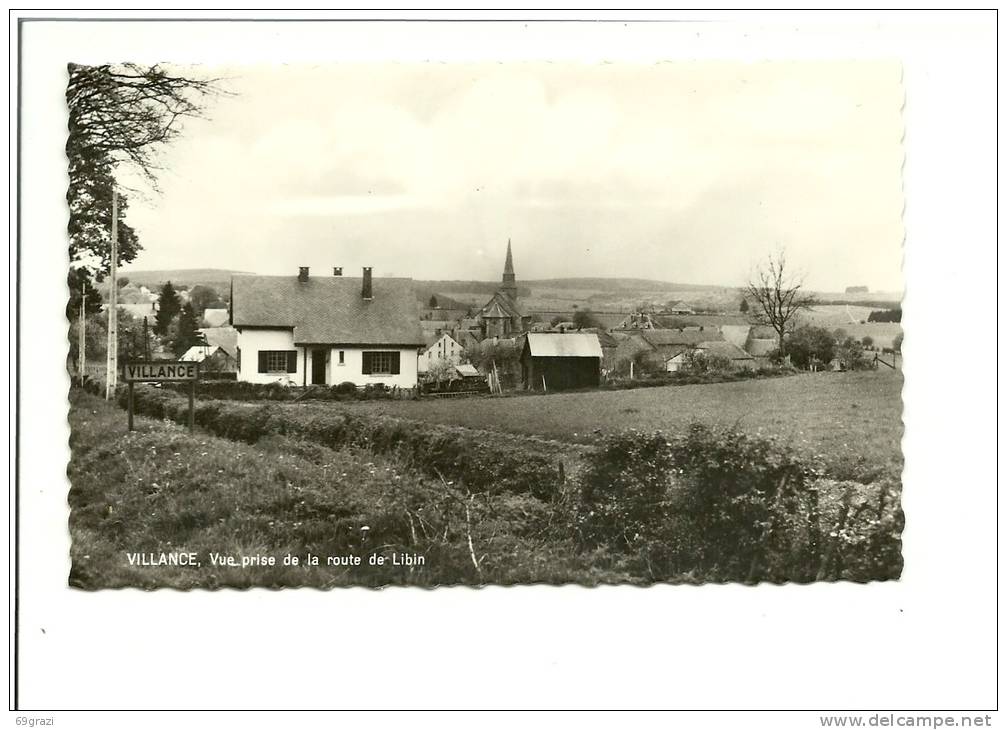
<point>557,362</point>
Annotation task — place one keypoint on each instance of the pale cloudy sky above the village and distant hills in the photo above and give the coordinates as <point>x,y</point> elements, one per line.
<point>689,173</point>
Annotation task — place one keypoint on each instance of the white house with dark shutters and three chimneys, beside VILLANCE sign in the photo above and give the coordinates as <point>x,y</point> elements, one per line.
<point>326,331</point>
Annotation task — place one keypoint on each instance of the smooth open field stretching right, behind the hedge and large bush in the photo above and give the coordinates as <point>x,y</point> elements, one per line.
<point>845,419</point>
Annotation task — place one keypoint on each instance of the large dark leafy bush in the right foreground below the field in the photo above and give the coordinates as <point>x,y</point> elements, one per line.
<point>721,505</point>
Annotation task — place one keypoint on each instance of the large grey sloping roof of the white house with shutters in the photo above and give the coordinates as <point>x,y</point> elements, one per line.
<point>326,311</point>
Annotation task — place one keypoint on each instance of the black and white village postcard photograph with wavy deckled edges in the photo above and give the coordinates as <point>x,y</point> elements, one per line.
<point>434,325</point>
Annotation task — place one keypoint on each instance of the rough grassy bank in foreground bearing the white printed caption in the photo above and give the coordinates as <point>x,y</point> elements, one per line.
<point>162,490</point>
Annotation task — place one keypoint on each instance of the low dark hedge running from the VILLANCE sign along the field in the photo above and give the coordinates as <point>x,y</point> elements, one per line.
<point>484,462</point>
